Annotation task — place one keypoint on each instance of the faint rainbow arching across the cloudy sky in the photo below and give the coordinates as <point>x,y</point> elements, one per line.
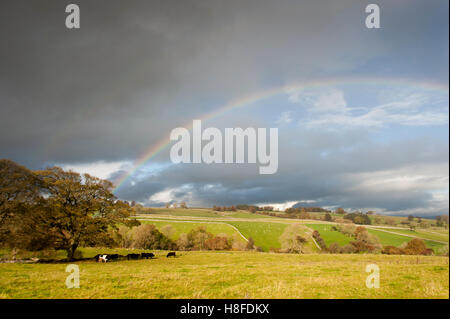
<point>264,94</point>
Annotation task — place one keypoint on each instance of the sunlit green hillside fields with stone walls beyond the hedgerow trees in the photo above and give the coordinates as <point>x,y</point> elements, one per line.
<point>266,230</point>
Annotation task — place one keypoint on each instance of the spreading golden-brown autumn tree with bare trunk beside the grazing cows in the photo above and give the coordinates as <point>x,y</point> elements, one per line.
<point>78,209</point>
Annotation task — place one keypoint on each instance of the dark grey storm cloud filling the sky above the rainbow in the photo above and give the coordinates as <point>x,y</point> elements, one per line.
<point>137,69</point>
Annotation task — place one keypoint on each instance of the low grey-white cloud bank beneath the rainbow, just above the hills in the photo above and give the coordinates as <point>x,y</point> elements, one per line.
<point>336,180</point>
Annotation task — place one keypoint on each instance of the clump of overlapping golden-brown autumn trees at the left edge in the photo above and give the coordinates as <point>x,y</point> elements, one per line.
<point>58,209</point>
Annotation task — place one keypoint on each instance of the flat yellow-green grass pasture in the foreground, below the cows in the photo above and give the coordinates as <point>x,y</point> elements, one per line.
<point>233,275</point>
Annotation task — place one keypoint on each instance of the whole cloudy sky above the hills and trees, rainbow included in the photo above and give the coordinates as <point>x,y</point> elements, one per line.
<point>362,114</point>
